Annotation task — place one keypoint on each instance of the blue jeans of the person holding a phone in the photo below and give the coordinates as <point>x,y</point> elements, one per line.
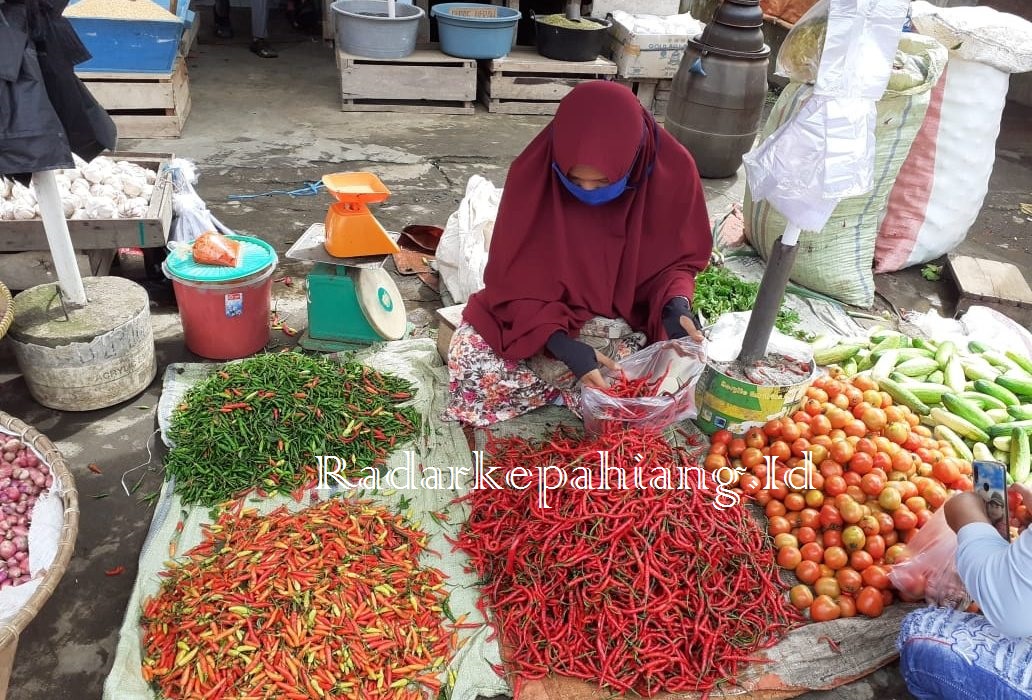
<point>947,655</point>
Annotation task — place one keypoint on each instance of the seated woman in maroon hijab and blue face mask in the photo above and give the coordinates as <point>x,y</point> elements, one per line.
<point>599,237</point>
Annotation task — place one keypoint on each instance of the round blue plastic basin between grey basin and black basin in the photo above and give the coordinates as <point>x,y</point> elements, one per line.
<point>476,38</point>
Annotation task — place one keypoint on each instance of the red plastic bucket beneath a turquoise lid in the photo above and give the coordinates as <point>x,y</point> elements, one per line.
<point>225,321</point>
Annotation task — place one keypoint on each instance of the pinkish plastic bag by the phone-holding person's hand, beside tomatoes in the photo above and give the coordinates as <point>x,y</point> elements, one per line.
<point>929,572</point>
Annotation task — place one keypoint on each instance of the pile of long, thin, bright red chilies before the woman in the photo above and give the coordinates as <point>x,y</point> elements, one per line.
<point>647,588</point>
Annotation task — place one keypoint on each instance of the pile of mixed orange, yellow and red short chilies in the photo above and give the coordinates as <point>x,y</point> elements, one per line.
<point>331,602</point>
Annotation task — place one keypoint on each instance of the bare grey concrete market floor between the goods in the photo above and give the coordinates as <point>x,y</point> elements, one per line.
<point>261,125</point>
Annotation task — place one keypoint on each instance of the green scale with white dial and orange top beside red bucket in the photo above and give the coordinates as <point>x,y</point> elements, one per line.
<point>352,301</point>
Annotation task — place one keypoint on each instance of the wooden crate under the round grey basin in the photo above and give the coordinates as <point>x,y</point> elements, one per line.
<point>427,82</point>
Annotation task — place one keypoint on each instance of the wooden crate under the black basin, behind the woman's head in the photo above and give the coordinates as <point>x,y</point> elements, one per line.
<point>526,83</point>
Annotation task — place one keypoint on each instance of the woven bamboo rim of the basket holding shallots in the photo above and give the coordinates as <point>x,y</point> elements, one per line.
<point>11,629</point>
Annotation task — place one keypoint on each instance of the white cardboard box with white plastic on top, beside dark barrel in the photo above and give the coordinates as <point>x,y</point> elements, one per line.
<point>641,54</point>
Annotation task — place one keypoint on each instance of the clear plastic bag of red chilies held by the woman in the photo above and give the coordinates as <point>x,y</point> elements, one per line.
<point>655,389</point>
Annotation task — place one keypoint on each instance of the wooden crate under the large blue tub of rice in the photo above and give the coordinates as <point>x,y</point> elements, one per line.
<point>144,106</point>
